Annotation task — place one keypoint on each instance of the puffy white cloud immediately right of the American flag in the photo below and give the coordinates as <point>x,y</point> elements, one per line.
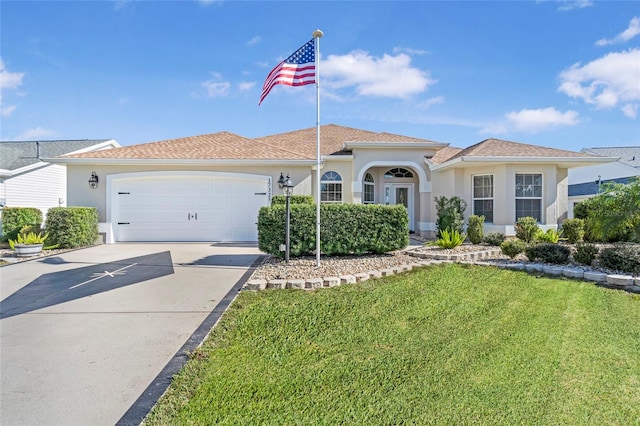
<point>388,76</point>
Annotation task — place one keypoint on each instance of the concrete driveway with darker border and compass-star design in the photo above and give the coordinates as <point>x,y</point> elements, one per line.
<point>92,337</point>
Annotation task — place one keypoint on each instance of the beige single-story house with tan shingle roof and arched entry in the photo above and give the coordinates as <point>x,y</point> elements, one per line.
<point>211,187</point>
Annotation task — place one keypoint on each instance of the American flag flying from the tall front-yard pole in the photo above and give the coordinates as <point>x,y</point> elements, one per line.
<point>298,69</point>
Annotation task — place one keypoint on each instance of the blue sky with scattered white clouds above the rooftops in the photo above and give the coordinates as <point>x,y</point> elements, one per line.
<point>562,74</point>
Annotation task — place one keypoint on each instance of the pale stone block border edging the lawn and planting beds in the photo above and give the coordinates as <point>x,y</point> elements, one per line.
<point>614,281</point>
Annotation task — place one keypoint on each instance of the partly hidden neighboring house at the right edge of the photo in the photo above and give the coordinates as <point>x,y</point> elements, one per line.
<point>586,182</point>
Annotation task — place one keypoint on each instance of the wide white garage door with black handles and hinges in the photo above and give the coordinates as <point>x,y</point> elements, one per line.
<point>187,206</point>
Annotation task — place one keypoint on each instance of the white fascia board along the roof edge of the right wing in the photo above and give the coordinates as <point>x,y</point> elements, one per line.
<point>564,161</point>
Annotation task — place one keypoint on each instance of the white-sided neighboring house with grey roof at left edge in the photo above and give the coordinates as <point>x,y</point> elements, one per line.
<point>28,181</point>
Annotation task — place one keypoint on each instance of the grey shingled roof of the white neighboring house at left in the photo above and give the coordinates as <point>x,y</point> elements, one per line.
<point>15,155</point>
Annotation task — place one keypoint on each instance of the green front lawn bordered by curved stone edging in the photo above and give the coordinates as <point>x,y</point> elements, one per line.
<point>443,345</point>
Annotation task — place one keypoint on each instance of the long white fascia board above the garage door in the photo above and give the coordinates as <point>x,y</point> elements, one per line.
<point>174,161</point>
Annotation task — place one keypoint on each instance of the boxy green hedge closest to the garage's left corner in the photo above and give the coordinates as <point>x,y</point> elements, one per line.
<point>71,227</point>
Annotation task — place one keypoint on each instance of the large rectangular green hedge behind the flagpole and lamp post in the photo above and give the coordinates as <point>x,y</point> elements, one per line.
<point>345,229</point>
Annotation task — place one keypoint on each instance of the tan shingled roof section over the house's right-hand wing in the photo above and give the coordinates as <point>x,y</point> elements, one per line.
<point>496,150</point>
